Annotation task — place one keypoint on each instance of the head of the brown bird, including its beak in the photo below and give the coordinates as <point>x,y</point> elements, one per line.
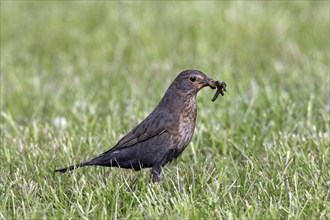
<point>191,81</point>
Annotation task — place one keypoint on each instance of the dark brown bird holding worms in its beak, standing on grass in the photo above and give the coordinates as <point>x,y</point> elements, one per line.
<point>164,134</point>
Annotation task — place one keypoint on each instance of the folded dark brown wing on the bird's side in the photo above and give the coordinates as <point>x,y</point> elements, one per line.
<point>150,127</point>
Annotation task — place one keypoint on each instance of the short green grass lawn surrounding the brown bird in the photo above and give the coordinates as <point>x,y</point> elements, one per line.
<point>77,76</point>
